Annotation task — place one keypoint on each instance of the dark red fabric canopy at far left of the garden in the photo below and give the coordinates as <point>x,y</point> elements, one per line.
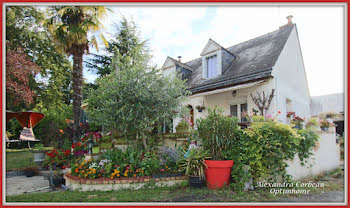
<point>26,119</point>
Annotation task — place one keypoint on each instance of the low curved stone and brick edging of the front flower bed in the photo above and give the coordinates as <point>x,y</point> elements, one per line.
<point>107,184</point>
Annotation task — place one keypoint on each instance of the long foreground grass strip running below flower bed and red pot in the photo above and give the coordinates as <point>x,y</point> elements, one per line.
<point>164,194</point>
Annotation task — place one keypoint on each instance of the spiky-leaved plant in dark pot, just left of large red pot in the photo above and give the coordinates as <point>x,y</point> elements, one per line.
<point>193,165</point>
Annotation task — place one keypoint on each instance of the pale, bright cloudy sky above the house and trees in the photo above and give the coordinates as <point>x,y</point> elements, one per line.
<point>184,31</point>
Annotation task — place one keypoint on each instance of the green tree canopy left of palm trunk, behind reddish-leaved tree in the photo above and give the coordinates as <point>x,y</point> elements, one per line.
<point>24,29</point>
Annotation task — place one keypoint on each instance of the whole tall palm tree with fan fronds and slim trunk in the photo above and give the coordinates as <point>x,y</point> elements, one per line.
<point>70,26</point>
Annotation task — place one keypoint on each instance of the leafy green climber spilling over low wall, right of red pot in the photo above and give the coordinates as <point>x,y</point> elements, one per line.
<point>263,149</point>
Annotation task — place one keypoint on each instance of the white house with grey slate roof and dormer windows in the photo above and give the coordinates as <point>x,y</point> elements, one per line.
<point>229,77</point>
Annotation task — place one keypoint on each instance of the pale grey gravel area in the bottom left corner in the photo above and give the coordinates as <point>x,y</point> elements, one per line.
<point>22,184</point>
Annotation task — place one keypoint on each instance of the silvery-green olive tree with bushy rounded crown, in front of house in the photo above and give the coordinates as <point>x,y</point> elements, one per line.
<point>135,100</point>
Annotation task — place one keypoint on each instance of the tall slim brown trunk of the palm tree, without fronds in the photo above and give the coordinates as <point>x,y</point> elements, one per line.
<point>77,92</point>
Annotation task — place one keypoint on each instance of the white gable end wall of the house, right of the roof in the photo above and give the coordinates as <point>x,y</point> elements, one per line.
<point>290,80</point>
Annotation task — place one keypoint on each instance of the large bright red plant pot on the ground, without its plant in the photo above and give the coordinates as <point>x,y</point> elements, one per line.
<point>218,173</point>
